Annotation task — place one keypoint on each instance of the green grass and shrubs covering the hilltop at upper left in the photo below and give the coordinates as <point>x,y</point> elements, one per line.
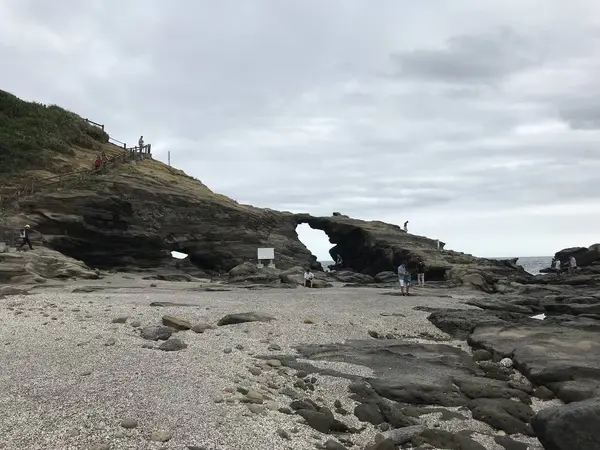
<point>32,133</point>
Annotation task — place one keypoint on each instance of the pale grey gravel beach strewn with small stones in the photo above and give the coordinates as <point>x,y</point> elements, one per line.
<point>75,377</point>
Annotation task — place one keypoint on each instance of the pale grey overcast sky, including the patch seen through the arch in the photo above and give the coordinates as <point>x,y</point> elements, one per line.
<point>476,120</point>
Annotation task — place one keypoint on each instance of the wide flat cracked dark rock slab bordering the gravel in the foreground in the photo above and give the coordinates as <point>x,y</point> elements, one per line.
<point>424,374</point>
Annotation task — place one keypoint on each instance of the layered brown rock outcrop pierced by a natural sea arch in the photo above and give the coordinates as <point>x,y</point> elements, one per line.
<point>134,216</point>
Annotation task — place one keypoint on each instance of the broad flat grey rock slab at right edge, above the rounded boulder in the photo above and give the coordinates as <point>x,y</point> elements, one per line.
<point>550,355</point>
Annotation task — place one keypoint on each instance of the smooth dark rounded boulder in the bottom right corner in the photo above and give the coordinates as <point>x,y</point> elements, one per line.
<point>573,426</point>
